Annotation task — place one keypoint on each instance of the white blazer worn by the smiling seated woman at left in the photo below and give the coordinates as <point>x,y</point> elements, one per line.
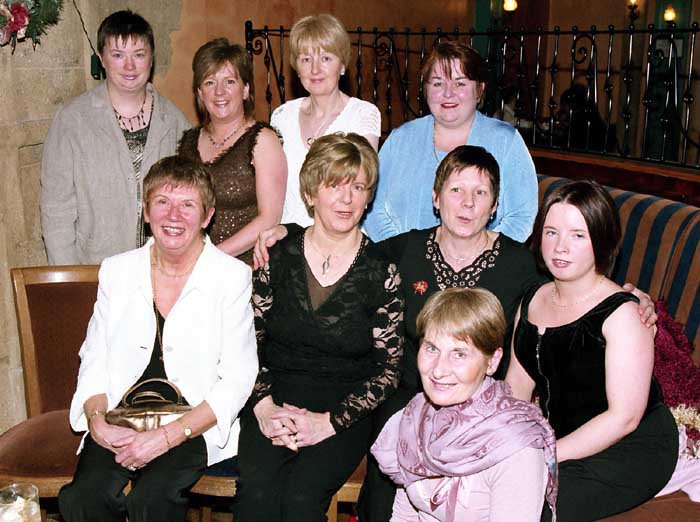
<point>209,347</point>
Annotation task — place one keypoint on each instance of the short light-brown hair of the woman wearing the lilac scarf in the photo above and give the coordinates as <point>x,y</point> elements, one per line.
<point>472,315</point>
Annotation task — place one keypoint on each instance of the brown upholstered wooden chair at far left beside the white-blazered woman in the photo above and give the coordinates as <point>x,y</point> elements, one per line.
<point>53,305</point>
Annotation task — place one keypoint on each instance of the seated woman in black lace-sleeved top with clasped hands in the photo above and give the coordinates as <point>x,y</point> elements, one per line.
<point>329,320</point>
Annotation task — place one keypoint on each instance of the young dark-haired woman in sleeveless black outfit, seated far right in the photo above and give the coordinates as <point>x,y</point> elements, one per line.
<point>579,344</point>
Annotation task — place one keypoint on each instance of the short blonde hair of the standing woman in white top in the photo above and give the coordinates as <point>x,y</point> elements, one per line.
<point>315,32</point>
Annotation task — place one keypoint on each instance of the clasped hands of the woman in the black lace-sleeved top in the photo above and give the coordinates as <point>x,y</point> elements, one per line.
<point>291,426</point>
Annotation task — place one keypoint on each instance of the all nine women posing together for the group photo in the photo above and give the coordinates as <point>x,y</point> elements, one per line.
<point>349,343</point>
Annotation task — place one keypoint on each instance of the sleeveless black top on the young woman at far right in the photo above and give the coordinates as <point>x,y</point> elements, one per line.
<point>567,363</point>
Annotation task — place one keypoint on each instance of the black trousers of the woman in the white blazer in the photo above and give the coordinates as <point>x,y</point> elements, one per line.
<point>158,491</point>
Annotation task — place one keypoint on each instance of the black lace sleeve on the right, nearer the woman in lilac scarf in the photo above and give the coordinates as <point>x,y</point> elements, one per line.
<point>388,334</point>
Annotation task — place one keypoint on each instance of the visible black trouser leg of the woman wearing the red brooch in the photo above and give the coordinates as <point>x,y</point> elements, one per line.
<point>378,491</point>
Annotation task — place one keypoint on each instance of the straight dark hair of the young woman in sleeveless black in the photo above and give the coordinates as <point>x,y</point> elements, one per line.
<point>598,210</point>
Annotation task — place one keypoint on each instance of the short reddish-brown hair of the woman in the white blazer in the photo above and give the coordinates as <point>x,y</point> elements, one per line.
<point>177,171</point>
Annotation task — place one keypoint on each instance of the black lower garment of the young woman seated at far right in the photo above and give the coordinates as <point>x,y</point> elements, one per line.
<point>622,477</point>
